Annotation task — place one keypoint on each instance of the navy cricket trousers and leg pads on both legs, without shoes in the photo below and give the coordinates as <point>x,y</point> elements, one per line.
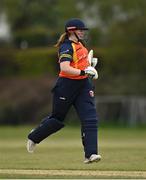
<point>68,92</point>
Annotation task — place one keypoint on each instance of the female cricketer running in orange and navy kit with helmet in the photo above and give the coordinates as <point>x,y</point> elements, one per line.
<point>73,88</point>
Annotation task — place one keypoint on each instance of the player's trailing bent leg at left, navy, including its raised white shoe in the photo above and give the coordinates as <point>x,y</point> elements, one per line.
<point>63,97</point>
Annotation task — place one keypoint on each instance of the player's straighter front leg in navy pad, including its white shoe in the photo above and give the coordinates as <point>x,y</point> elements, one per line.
<point>86,109</point>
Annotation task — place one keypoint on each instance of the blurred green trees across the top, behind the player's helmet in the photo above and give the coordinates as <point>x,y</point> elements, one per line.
<point>101,16</point>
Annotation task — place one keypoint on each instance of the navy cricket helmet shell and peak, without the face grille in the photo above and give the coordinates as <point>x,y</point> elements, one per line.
<point>75,24</point>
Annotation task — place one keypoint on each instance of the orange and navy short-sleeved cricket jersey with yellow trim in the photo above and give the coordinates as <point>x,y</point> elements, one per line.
<point>76,54</point>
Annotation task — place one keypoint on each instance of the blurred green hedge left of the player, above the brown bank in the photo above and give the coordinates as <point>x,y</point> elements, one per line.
<point>28,62</point>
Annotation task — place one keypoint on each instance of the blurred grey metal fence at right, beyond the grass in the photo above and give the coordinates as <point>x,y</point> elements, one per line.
<point>130,110</point>
